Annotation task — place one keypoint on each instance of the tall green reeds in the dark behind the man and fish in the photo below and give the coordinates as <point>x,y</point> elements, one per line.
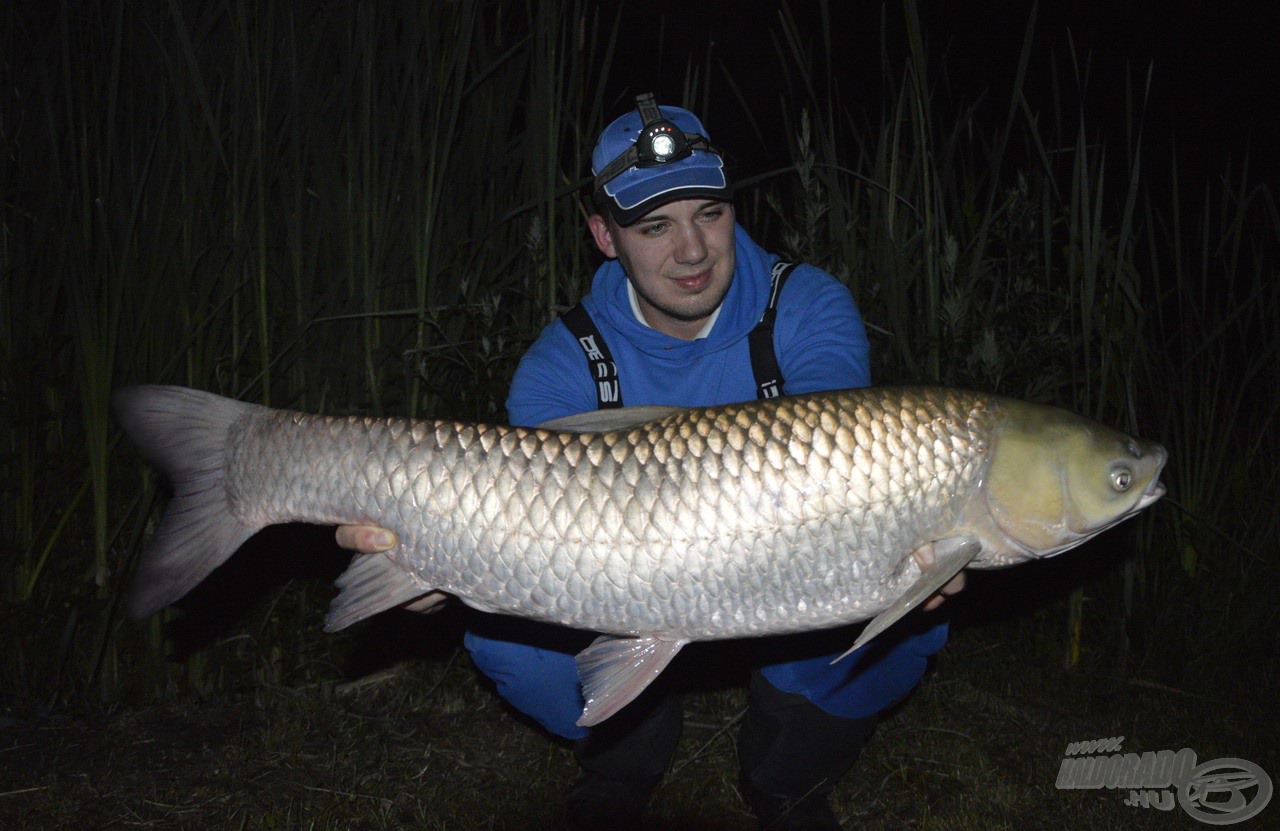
<point>376,209</point>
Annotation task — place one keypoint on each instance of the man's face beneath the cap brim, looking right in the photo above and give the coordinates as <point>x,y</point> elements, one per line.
<point>680,259</point>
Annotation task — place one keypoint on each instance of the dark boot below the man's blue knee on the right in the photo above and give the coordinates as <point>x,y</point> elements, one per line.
<point>793,754</point>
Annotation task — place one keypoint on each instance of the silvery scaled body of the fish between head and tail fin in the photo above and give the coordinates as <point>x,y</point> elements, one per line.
<point>472,535</point>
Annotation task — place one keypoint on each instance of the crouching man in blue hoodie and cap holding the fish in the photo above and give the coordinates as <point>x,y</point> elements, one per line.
<point>670,321</point>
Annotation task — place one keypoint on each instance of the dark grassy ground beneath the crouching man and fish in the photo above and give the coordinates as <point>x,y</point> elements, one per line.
<point>423,745</point>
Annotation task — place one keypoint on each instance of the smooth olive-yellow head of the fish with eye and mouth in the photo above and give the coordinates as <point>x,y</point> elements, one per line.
<point>1055,480</point>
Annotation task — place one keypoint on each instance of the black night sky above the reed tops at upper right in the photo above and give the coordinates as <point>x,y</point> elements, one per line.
<point>1215,85</point>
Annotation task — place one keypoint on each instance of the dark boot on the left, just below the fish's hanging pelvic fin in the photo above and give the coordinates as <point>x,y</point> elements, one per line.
<point>623,762</point>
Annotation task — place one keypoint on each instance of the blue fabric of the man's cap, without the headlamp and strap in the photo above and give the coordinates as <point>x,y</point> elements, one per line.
<point>639,190</point>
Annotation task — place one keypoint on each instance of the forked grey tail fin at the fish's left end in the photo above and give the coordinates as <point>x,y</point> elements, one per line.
<point>184,433</point>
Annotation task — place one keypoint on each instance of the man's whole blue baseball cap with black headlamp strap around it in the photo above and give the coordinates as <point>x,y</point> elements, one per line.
<point>650,181</point>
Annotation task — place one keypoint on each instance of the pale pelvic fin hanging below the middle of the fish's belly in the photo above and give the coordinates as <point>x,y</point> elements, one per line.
<point>615,670</point>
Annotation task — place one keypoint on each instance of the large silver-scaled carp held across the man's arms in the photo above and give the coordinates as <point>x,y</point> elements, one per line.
<point>653,527</point>
